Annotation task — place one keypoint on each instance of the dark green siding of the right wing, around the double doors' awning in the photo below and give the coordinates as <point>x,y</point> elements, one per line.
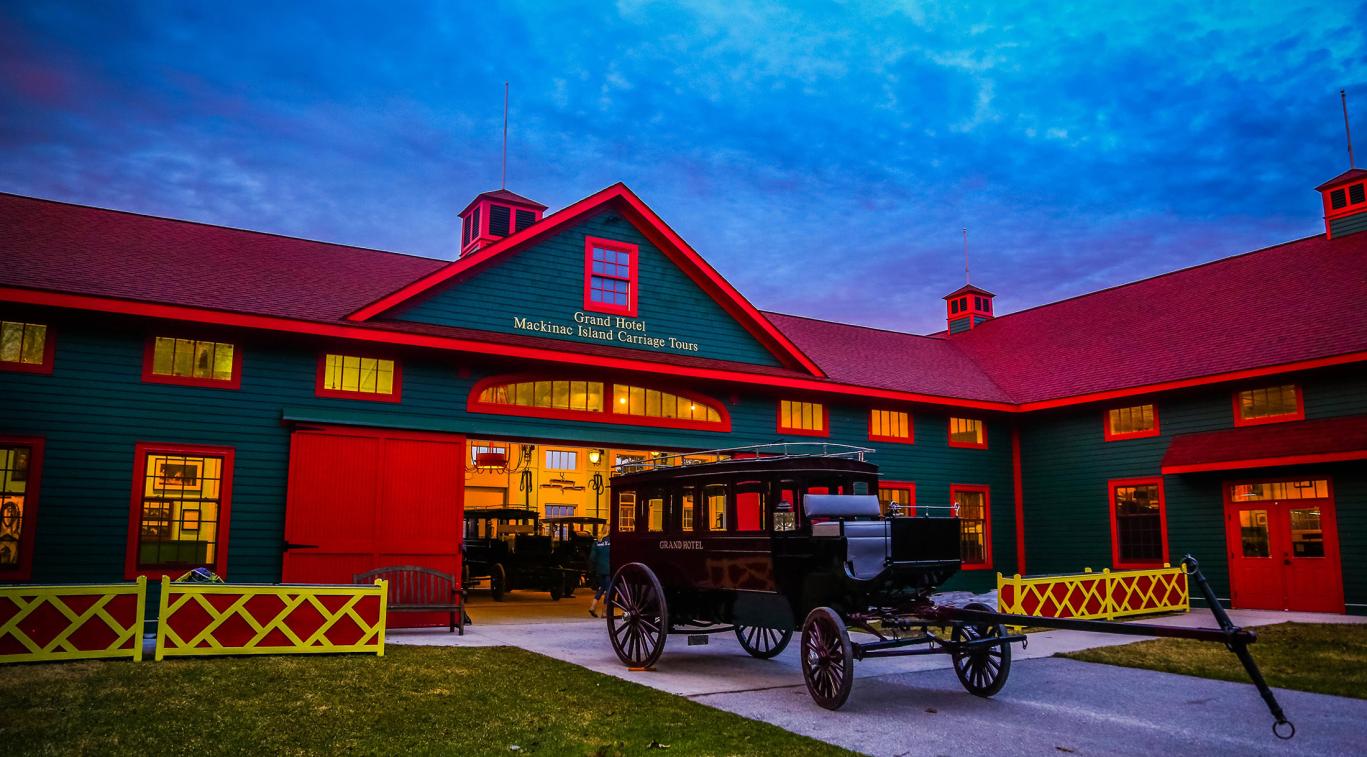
<point>1067,465</point>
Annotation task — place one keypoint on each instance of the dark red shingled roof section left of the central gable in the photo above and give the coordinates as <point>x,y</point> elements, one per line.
<point>49,245</point>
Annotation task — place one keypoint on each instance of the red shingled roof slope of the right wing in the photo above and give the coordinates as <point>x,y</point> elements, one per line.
<point>1282,305</point>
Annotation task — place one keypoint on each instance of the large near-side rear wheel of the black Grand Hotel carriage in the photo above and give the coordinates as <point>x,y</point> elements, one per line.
<point>638,617</point>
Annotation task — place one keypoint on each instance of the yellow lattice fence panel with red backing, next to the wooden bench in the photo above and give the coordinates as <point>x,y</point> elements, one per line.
<point>270,620</point>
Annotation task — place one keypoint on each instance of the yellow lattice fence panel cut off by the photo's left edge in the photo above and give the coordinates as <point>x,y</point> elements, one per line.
<point>72,622</point>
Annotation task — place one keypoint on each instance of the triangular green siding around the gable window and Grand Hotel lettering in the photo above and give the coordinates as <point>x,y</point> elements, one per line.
<point>546,282</point>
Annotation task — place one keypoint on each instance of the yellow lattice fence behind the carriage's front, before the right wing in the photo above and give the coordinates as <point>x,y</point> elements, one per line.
<point>1096,595</point>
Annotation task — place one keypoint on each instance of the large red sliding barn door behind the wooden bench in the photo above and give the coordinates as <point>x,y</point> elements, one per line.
<point>363,499</point>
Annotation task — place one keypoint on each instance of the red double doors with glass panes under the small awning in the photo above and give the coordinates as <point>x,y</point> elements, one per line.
<point>1284,546</point>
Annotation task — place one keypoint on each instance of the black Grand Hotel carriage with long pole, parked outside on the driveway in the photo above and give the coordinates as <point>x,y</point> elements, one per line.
<point>788,538</point>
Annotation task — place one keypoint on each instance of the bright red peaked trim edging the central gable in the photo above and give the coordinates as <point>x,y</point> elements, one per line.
<point>624,202</point>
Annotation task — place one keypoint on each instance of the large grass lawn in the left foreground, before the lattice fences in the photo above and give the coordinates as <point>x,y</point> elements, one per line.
<point>414,700</point>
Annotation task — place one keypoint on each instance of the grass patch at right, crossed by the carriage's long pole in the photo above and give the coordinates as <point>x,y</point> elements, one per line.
<point>1325,658</point>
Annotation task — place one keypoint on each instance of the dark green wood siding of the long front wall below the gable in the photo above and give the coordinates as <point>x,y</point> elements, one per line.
<point>95,409</point>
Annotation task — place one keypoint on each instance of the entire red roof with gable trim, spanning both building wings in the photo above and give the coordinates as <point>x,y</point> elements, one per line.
<point>1287,307</point>
